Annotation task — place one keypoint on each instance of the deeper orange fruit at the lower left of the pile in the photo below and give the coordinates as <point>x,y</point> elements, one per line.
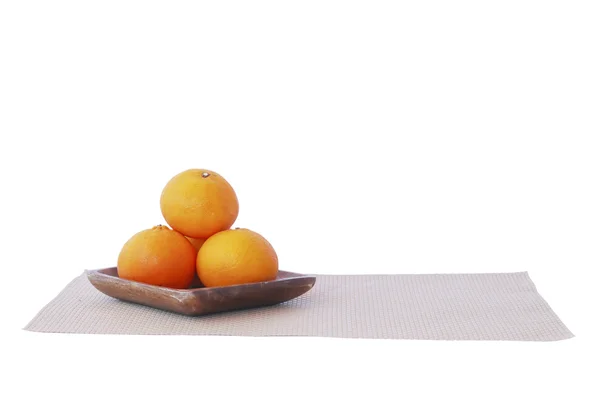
<point>158,256</point>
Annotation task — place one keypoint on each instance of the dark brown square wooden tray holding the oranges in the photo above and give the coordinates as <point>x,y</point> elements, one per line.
<point>199,300</point>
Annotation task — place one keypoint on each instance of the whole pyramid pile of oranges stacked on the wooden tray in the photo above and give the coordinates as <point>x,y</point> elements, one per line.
<point>200,207</point>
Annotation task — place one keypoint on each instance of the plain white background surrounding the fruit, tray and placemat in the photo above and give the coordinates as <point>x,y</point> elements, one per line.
<point>360,136</point>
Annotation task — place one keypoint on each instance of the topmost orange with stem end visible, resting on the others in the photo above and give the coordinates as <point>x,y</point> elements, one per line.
<point>199,203</point>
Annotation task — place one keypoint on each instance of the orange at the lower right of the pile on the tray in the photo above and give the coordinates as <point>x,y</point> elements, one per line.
<point>234,257</point>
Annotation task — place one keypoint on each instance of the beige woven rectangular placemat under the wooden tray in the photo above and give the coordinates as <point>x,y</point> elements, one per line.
<point>504,306</point>
